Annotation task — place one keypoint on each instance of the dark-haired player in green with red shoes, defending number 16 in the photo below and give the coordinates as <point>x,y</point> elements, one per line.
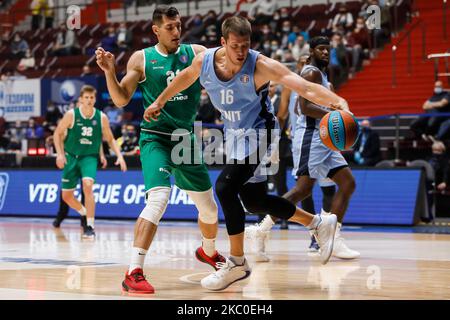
<point>152,69</point>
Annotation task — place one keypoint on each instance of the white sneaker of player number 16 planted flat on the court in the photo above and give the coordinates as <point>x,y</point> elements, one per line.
<point>227,274</point>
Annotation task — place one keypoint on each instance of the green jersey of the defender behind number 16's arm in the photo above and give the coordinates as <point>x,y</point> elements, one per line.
<point>160,70</point>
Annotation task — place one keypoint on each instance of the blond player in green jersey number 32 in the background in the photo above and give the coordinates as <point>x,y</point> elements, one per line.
<point>77,153</point>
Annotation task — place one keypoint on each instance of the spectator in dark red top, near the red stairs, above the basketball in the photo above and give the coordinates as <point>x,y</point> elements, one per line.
<point>358,40</point>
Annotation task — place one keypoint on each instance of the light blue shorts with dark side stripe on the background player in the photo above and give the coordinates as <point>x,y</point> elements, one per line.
<point>312,158</point>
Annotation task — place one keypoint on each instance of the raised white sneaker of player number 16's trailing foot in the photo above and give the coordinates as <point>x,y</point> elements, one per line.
<point>325,236</point>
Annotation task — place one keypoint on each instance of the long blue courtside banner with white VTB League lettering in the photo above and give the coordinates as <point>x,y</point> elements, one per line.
<point>381,197</point>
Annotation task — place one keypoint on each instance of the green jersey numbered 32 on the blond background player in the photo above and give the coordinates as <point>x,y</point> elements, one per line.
<point>85,136</point>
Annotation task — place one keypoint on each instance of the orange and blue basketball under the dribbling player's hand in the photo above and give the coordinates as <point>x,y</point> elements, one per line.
<point>339,130</point>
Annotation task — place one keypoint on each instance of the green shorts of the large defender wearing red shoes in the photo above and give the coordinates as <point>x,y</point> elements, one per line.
<point>160,158</point>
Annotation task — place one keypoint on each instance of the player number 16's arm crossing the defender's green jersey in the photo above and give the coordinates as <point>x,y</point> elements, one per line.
<point>181,82</point>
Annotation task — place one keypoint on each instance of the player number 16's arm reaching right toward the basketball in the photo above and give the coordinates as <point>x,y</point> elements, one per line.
<point>275,71</point>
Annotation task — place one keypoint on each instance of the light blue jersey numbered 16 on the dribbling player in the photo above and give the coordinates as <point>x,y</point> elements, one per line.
<point>244,111</point>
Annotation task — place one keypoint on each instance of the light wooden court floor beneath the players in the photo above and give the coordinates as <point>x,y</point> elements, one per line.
<point>40,262</point>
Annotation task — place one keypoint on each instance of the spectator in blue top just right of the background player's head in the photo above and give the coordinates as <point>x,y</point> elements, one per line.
<point>338,61</point>
